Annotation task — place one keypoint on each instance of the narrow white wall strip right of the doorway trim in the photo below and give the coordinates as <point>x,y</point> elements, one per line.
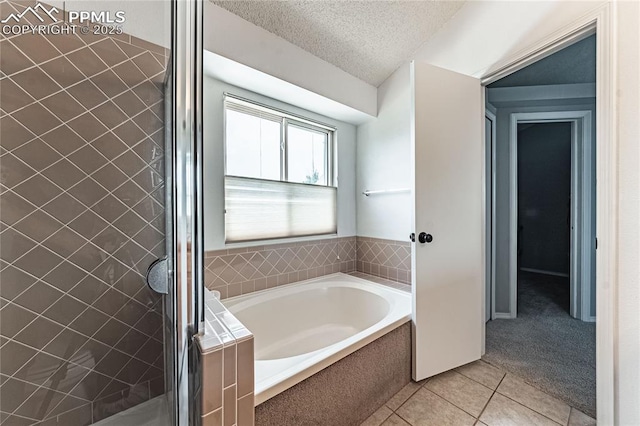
<point>627,386</point>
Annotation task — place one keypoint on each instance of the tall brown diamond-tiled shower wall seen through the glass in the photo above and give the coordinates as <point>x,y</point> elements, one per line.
<point>81,218</point>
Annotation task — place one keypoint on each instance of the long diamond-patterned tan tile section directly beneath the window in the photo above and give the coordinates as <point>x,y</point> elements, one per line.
<point>245,270</point>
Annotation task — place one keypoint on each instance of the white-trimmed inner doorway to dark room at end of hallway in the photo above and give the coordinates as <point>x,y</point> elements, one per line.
<point>561,229</point>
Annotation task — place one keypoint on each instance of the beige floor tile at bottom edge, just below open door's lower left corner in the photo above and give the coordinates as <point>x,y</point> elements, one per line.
<point>425,408</point>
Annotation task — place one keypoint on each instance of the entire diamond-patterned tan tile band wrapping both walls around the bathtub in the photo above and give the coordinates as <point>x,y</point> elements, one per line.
<point>244,270</point>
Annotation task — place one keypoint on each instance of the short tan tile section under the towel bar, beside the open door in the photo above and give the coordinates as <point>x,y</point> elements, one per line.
<point>388,259</point>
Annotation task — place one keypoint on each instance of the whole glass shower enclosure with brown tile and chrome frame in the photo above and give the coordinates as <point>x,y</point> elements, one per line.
<point>93,189</point>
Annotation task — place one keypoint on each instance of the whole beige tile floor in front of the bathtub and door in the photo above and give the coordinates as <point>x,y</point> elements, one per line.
<point>475,394</point>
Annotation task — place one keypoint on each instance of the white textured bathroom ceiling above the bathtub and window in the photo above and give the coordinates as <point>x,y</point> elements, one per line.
<point>367,39</point>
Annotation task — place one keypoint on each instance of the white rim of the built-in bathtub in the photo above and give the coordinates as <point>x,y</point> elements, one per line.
<point>339,350</point>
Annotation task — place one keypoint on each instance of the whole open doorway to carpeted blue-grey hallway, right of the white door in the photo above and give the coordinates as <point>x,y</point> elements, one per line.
<point>541,225</point>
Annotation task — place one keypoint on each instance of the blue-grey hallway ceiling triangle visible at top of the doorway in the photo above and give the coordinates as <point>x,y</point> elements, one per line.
<point>571,65</point>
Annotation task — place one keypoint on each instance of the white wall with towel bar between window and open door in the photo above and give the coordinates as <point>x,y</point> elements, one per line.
<point>384,162</point>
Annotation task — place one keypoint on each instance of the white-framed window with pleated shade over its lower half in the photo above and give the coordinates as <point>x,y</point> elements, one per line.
<point>279,179</point>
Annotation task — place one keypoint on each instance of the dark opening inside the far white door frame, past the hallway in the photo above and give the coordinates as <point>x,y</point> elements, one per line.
<point>544,220</point>
